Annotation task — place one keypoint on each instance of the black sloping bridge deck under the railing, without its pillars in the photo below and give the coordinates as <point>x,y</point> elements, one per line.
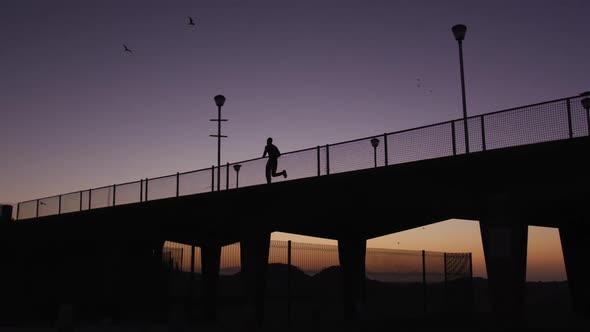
<point>539,180</point>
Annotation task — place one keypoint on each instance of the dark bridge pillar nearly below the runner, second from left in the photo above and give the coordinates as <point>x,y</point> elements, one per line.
<point>254,250</point>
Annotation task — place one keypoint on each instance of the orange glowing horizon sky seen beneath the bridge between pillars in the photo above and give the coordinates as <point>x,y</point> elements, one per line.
<point>544,253</point>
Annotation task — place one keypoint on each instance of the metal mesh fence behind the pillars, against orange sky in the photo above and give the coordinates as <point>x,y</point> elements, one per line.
<point>387,265</point>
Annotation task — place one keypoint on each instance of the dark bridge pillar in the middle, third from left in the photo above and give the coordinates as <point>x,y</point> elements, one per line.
<point>351,253</point>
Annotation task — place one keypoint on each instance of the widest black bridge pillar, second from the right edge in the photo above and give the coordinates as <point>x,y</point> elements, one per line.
<point>504,240</point>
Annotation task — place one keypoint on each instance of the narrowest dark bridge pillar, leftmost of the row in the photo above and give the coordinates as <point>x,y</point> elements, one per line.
<point>210,258</point>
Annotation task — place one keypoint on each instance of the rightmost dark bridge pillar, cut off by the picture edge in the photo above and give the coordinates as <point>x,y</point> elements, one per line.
<point>575,235</point>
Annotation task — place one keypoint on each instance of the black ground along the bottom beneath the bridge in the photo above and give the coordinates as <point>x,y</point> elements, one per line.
<point>315,306</point>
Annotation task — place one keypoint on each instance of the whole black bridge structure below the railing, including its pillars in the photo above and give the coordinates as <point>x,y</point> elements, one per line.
<point>505,190</point>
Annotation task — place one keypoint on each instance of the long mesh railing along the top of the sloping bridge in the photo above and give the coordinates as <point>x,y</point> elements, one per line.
<point>542,122</point>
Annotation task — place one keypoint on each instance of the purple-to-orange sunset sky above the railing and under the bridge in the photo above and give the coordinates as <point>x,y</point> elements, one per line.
<point>79,112</point>
